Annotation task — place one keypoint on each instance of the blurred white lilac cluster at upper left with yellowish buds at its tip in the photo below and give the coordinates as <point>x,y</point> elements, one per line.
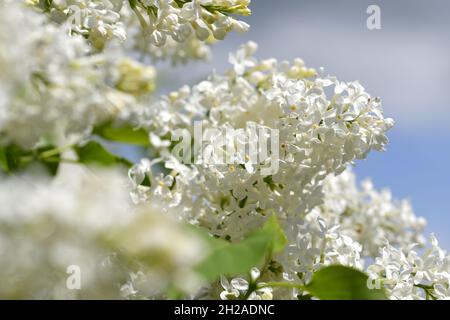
<point>51,88</point>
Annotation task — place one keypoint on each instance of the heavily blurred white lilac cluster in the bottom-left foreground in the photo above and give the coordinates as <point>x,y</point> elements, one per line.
<point>85,219</point>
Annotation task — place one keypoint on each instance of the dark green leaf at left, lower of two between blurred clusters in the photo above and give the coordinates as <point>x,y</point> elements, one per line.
<point>94,153</point>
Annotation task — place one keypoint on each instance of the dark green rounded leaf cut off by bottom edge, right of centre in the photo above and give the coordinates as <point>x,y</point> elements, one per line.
<point>342,283</point>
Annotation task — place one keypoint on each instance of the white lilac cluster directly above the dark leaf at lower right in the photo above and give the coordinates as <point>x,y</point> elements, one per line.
<point>350,225</point>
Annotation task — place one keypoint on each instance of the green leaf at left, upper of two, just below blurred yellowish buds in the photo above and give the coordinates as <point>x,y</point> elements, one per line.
<point>124,133</point>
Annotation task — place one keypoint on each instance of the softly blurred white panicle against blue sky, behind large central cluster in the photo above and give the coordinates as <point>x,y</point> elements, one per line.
<point>369,216</point>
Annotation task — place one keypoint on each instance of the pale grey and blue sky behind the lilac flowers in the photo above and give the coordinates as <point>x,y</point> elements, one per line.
<point>406,63</point>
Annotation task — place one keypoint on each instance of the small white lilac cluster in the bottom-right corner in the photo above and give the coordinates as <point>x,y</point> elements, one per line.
<point>408,274</point>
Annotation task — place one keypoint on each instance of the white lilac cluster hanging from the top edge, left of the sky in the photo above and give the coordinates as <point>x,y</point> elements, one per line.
<point>173,29</point>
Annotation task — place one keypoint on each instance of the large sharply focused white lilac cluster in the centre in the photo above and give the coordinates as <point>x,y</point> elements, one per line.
<point>319,133</point>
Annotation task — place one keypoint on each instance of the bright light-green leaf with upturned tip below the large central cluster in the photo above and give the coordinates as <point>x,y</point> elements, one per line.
<point>238,258</point>
